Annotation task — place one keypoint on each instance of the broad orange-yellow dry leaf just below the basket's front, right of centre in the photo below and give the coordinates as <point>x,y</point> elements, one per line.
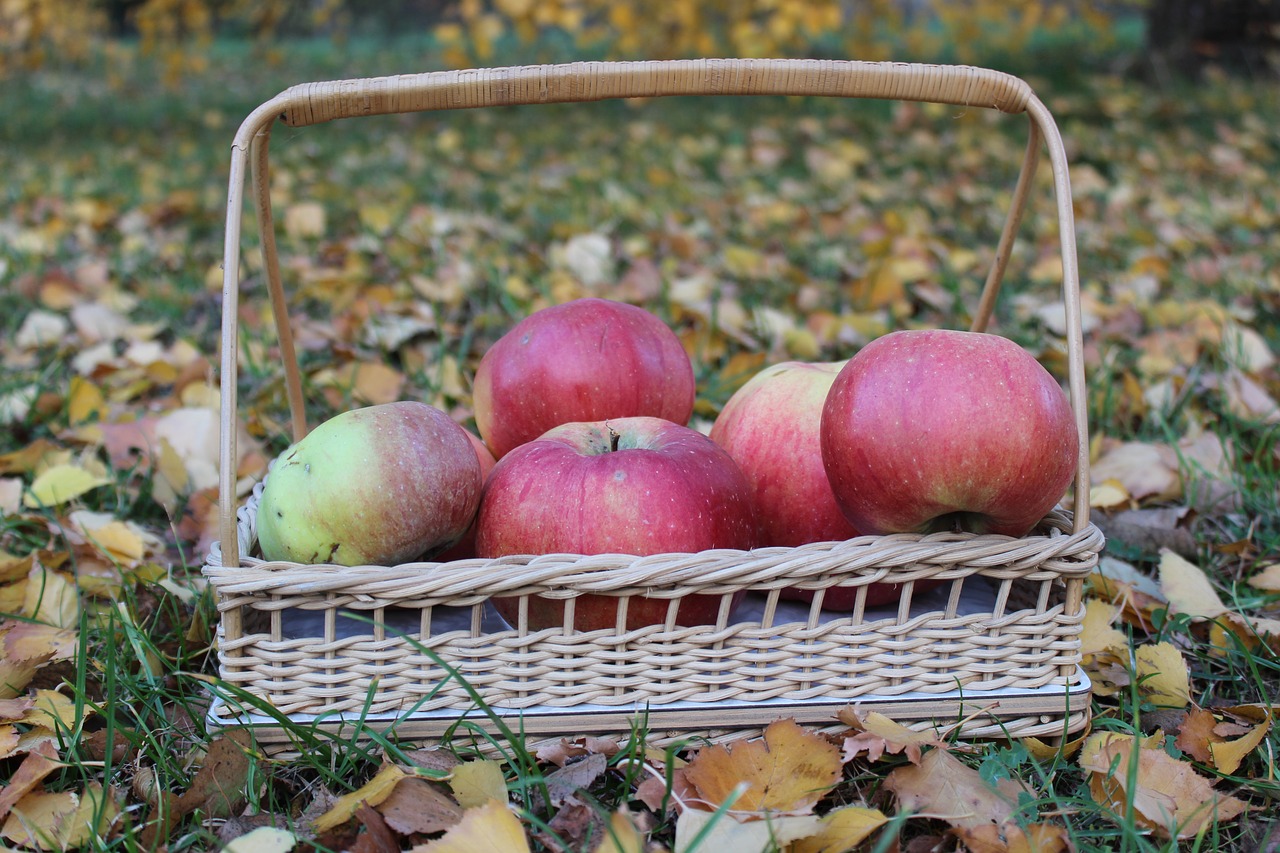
<point>789,770</point>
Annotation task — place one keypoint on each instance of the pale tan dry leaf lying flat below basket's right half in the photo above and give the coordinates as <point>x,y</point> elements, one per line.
<point>947,788</point>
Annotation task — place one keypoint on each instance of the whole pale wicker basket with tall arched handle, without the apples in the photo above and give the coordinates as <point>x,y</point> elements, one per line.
<point>993,649</point>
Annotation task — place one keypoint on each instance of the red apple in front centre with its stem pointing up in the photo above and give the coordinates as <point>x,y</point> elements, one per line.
<point>634,486</point>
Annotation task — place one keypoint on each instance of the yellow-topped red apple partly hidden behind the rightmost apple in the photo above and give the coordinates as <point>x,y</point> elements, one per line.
<point>771,428</point>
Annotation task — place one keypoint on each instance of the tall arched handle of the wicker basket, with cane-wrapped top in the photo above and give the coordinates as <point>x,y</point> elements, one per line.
<point>324,102</point>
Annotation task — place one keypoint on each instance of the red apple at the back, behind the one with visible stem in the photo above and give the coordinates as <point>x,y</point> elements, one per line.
<point>586,361</point>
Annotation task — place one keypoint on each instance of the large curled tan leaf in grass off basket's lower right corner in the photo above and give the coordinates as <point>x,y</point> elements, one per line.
<point>1171,797</point>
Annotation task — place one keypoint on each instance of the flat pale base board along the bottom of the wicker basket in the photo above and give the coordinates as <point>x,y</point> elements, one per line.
<point>1049,711</point>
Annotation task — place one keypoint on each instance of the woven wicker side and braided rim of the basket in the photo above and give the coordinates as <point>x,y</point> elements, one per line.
<point>1027,640</point>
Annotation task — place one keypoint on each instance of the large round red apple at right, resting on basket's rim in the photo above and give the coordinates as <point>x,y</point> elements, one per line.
<point>927,431</point>
